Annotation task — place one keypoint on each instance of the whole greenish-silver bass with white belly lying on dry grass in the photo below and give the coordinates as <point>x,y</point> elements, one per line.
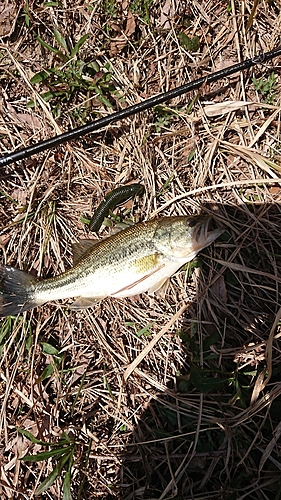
<point>138,259</point>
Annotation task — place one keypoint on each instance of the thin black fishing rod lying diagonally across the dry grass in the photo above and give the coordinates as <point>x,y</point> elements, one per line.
<point>136,108</point>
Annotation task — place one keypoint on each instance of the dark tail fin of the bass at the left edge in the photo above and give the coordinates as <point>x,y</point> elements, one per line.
<point>16,291</point>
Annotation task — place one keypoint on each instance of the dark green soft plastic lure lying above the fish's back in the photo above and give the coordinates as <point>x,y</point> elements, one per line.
<point>116,197</point>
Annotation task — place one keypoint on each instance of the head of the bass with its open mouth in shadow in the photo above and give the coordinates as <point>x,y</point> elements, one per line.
<point>189,235</point>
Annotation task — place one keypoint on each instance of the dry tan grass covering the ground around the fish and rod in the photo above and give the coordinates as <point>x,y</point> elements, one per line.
<point>197,417</point>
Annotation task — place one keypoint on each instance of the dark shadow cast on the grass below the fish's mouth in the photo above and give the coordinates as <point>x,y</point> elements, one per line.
<point>214,433</point>
